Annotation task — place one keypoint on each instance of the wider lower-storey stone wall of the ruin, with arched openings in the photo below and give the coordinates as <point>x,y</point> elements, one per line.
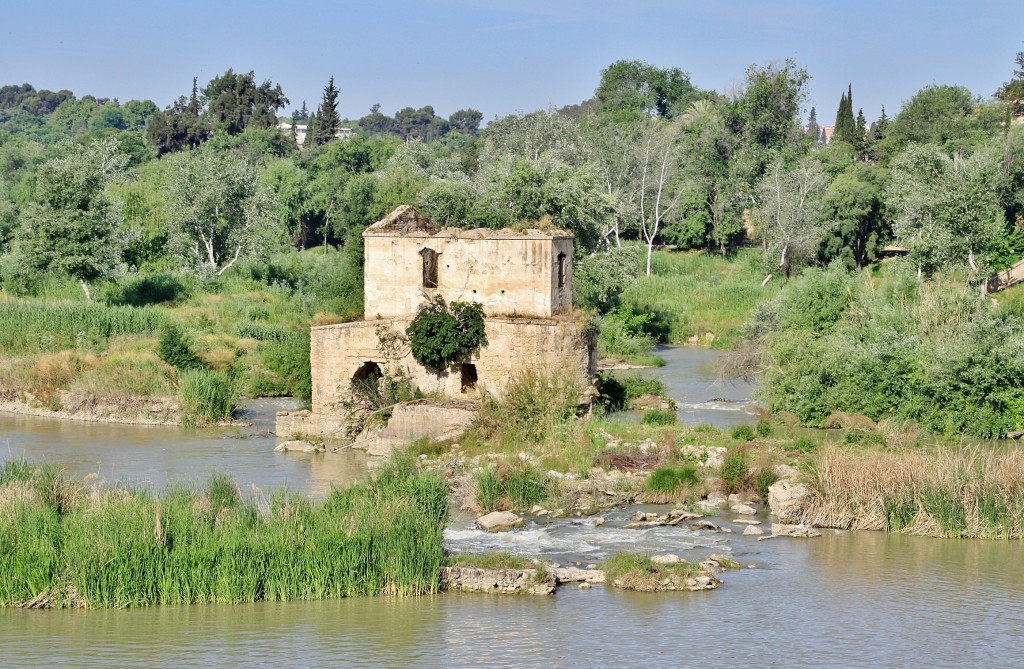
<point>351,351</point>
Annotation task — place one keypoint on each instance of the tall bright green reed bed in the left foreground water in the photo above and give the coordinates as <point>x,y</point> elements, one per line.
<point>65,546</point>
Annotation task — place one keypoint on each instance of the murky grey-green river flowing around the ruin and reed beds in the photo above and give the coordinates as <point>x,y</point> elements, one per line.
<point>850,599</point>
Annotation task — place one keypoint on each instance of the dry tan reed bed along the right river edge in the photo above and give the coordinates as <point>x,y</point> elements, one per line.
<point>949,492</point>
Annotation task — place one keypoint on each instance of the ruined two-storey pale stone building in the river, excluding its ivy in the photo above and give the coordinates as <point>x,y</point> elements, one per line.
<point>523,280</point>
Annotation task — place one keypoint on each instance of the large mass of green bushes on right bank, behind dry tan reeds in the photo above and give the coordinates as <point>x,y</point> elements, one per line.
<point>931,353</point>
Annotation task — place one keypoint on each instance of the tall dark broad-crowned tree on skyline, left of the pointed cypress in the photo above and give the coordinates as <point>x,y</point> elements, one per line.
<point>235,102</point>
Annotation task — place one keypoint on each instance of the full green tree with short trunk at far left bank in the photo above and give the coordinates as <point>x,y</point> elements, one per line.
<point>73,228</point>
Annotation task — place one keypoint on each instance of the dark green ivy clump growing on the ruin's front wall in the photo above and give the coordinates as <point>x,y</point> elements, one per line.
<point>442,333</point>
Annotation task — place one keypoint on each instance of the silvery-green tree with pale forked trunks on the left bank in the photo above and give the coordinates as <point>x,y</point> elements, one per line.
<point>221,212</point>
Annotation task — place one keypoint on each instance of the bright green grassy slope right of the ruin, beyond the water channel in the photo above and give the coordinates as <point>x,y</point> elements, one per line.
<point>701,292</point>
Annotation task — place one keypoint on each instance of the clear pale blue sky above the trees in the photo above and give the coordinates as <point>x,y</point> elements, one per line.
<point>505,57</point>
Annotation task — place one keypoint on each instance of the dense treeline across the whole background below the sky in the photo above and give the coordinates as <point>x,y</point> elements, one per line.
<point>94,188</point>
